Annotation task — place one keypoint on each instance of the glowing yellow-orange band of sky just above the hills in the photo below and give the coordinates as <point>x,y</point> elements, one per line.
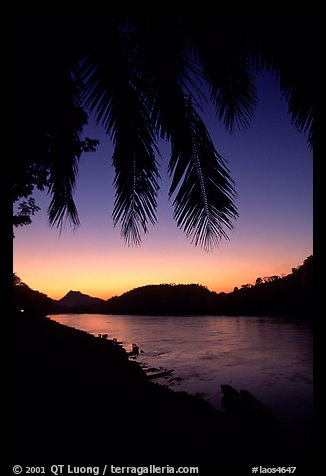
<point>107,276</point>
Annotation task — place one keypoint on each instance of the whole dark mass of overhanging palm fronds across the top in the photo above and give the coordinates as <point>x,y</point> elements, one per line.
<point>142,76</point>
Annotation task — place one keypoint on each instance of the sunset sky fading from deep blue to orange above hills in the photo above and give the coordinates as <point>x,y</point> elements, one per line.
<point>271,165</point>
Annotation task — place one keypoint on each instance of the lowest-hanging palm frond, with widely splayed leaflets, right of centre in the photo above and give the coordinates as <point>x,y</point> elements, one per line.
<point>204,201</point>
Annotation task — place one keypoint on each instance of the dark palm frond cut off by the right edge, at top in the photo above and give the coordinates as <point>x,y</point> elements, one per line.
<point>288,55</point>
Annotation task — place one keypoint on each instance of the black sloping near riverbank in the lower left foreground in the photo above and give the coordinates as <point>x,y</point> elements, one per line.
<point>78,398</point>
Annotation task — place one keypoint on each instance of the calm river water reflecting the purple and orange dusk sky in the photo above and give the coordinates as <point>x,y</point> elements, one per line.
<point>270,357</point>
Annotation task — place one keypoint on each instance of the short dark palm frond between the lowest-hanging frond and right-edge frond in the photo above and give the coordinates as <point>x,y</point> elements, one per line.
<point>227,67</point>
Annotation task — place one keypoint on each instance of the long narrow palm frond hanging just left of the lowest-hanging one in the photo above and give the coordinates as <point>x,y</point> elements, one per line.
<point>112,91</point>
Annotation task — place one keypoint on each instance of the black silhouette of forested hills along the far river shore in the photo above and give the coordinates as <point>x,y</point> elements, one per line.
<point>291,295</point>
